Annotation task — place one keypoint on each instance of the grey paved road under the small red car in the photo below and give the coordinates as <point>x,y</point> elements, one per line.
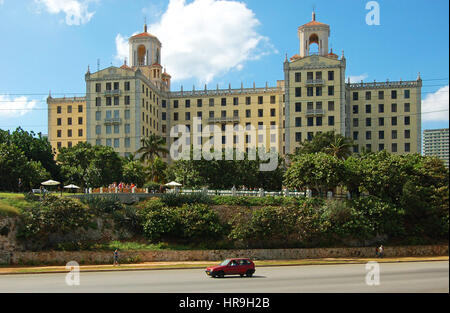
<point>394,277</point>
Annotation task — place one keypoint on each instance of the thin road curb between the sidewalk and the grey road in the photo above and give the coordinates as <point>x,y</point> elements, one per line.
<point>202,267</point>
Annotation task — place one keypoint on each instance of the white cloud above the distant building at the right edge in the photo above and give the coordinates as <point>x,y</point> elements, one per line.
<point>437,103</point>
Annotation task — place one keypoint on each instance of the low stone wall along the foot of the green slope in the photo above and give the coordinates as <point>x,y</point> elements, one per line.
<point>90,257</point>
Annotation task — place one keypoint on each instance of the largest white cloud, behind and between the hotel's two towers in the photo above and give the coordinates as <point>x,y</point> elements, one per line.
<point>205,38</point>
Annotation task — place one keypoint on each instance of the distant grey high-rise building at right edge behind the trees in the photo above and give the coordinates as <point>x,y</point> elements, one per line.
<point>435,143</point>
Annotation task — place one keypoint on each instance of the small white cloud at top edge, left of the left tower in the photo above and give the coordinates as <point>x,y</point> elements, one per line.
<point>76,11</point>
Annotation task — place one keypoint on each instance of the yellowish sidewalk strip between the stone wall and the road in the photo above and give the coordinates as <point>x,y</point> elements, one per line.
<point>203,264</point>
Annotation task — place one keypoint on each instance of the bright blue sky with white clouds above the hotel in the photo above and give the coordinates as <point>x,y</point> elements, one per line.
<point>48,45</point>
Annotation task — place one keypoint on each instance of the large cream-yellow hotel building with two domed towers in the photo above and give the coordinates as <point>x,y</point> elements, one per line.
<point>125,104</point>
